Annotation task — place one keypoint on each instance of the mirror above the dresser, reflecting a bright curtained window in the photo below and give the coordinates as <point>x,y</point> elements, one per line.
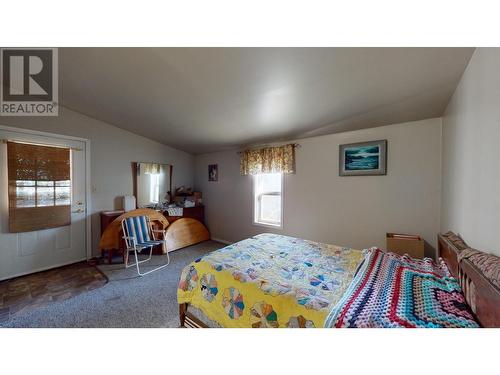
<point>152,182</point>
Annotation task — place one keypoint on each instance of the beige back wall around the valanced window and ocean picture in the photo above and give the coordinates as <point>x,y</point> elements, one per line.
<point>320,205</point>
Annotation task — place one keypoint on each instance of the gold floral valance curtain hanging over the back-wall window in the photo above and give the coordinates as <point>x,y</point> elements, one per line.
<point>268,160</point>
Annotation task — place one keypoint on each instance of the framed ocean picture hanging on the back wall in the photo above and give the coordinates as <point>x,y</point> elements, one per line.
<point>363,159</point>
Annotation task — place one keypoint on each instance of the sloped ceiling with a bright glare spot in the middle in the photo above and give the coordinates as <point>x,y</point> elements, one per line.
<point>208,99</point>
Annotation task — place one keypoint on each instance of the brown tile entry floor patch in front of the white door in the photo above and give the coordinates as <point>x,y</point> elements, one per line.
<point>29,292</point>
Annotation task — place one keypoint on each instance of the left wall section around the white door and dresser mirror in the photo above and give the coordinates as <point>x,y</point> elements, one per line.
<point>112,151</point>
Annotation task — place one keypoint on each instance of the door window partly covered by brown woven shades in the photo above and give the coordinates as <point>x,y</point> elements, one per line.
<point>39,187</point>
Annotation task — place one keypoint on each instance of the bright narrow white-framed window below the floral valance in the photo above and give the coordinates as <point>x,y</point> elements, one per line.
<point>268,189</point>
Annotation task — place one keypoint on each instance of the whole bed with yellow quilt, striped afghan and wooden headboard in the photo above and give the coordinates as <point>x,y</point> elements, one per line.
<point>270,281</point>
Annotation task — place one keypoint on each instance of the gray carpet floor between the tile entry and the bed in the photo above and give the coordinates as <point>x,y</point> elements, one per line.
<point>127,300</point>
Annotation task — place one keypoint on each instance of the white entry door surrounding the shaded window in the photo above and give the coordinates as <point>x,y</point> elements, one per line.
<point>24,253</point>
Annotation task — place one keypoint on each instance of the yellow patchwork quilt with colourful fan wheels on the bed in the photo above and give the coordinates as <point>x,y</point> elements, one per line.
<point>269,281</point>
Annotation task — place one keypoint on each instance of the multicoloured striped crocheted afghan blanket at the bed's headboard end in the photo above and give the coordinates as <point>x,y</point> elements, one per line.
<point>391,291</point>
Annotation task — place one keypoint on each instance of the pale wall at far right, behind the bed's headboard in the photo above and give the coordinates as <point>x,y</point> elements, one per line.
<point>471,172</point>
